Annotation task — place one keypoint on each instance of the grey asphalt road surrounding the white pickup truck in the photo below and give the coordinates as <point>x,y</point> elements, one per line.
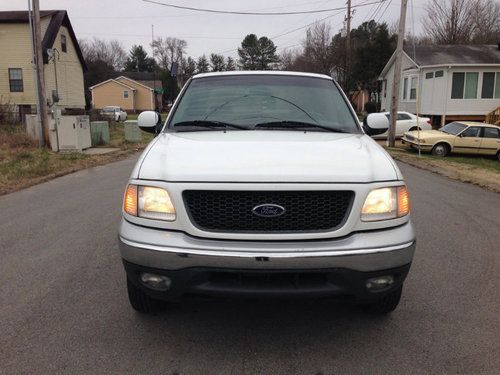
<point>63,305</point>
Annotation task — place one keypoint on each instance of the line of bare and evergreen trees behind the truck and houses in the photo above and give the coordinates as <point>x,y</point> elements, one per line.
<point>321,51</point>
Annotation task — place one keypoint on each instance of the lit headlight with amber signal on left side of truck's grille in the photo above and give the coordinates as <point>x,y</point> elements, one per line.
<point>148,202</point>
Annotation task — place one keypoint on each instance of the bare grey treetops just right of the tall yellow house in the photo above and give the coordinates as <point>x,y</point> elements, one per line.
<point>110,52</point>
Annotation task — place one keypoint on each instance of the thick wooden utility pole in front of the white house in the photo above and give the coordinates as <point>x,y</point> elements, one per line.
<point>397,75</point>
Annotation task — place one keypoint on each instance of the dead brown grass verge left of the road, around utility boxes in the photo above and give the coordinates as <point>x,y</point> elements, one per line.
<point>23,164</point>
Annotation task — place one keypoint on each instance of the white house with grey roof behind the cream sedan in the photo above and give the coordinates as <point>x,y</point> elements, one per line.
<point>446,82</point>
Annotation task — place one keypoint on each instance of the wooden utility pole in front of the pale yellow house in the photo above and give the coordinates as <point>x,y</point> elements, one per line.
<point>42,102</point>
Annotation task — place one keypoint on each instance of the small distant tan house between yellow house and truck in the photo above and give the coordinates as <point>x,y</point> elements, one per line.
<point>129,94</point>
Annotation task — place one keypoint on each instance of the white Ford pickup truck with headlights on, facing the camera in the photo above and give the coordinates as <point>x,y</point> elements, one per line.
<point>265,184</point>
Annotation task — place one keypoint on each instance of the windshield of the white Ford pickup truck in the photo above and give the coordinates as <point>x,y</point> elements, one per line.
<point>278,101</point>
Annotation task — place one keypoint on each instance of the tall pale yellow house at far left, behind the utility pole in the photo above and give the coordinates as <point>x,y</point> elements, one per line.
<point>63,61</point>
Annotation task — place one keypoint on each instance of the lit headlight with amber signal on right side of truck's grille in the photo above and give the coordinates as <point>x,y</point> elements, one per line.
<point>386,203</point>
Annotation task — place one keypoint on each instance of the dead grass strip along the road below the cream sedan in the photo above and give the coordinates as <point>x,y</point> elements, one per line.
<point>481,171</point>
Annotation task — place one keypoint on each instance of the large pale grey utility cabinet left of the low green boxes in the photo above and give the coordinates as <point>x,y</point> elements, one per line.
<point>73,133</point>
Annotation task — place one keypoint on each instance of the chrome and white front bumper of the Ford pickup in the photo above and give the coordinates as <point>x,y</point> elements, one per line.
<point>363,251</point>
